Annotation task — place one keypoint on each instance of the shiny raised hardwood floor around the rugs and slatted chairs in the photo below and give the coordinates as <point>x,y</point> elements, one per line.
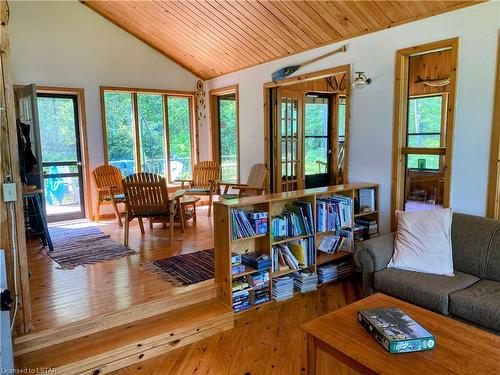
<point>60,297</point>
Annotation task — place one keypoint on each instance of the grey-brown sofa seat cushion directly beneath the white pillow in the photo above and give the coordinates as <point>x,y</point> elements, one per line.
<point>423,289</point>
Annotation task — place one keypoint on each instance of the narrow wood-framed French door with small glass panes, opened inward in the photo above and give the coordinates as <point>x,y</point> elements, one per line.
<point>288,156</point>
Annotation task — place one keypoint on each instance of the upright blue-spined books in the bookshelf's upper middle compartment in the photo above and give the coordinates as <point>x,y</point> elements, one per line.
<point>296,220</point>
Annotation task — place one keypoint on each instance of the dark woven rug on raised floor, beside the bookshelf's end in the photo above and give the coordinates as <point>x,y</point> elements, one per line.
<point>185,269</point>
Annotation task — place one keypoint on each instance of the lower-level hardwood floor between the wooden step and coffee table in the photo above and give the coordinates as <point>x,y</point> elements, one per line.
<point>263,342</point>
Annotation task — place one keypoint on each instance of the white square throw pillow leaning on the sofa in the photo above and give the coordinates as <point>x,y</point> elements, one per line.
<point>423,242</point>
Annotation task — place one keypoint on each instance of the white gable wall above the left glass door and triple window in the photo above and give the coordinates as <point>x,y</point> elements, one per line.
<point>66,44</point>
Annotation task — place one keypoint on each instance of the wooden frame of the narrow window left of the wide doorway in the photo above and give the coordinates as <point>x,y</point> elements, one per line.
<point>214,123</point>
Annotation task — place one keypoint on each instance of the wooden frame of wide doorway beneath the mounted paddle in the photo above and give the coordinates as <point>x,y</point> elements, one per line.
<point>303,78</point>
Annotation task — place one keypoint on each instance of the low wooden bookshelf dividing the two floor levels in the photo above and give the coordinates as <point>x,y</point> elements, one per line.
<point>274,204</point>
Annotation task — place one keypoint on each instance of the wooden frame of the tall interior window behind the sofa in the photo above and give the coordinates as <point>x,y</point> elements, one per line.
<point>400,118</point>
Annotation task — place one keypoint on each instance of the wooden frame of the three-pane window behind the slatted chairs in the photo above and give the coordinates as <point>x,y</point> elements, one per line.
<point>193,124</point>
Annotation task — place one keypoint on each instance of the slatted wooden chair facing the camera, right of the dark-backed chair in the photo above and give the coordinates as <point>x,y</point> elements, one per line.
<point>204,182</point>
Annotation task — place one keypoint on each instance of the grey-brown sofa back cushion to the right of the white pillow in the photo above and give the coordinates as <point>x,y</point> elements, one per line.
<point>471,237</point>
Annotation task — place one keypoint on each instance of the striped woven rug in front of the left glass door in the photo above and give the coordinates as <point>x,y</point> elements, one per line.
<point>80,245</point>
